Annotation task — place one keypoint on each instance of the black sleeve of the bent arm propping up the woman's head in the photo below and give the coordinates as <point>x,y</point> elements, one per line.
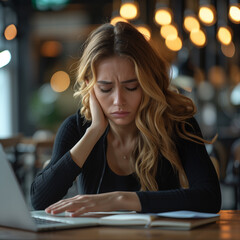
<point>52,183</point>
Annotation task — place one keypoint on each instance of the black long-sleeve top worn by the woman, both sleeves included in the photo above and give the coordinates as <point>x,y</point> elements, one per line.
<point>52,183</point>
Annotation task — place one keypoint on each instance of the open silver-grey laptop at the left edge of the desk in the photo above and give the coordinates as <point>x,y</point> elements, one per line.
<point>14,211</point>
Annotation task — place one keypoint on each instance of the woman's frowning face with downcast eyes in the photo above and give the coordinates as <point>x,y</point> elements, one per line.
<point>117,89</point>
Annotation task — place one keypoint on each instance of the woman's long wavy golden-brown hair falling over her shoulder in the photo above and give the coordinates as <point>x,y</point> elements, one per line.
<point>162,112</point>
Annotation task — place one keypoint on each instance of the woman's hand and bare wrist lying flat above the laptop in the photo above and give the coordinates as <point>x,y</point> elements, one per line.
<point>104,202</point>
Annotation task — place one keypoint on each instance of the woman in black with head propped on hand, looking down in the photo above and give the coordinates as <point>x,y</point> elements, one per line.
<point>135,144</point>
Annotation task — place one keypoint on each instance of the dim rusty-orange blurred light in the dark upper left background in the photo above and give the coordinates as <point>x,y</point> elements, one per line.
<point>51,49</point>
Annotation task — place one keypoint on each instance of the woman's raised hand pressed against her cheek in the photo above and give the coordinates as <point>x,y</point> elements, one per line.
<point>99,120</point>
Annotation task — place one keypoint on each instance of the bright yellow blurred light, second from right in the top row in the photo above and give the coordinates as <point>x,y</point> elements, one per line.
<point>207,14</point>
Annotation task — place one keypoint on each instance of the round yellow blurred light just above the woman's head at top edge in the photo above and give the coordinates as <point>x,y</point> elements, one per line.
<point>129,10</point>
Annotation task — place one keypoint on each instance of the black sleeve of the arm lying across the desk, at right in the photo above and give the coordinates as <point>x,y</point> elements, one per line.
<point>203,194</point>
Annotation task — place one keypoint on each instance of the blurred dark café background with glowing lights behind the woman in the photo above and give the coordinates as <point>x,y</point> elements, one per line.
<point>41,42</point>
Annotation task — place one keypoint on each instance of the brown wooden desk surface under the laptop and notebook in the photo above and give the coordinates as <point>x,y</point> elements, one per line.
<point>227,228</point>
